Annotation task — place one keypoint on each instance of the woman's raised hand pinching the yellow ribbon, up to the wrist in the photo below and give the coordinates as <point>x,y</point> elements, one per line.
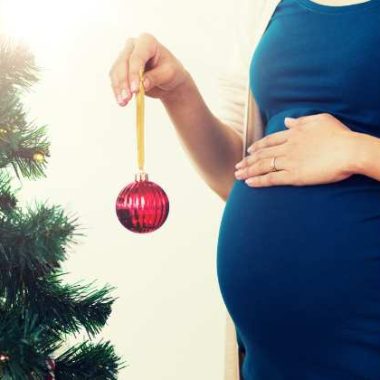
<point>163,72</point>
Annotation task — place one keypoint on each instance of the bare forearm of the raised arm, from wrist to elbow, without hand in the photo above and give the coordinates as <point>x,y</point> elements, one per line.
<point>214,147</point>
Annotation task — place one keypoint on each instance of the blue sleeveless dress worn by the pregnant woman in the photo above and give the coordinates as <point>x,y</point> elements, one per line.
<point>299,266</point>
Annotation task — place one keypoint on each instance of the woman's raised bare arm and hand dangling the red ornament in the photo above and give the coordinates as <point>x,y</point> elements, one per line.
<point>213,146</point>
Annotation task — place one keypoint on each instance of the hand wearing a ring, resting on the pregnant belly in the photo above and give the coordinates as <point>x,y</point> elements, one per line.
<point>314,149</point>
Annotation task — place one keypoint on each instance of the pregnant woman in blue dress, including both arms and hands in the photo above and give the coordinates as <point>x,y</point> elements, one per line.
<point>298,257</point>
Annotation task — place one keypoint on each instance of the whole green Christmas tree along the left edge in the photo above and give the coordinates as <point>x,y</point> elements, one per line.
<point>38,311</point>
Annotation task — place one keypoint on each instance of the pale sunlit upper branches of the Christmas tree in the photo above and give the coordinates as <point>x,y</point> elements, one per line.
<point>20,139</point>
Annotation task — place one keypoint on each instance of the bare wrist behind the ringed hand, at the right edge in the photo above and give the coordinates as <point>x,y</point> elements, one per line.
<point>366,157</point>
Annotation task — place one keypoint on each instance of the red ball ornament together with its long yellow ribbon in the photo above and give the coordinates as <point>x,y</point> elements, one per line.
<point>142,206</point>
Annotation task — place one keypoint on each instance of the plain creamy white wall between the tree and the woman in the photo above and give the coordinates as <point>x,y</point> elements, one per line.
<point>168,322</point>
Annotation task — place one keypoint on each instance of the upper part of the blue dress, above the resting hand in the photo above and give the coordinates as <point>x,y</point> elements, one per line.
<point>319,58</point>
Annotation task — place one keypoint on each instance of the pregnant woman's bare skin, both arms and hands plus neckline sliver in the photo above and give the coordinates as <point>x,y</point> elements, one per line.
<point>315,149</point>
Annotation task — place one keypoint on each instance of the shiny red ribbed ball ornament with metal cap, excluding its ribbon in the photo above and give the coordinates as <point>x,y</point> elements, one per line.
<point>142,206</point>
